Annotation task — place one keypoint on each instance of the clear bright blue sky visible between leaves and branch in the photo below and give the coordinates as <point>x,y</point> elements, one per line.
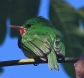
<point>10,51</point>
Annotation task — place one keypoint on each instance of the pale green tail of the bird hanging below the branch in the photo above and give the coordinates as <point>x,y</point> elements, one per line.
<point>52,61</point>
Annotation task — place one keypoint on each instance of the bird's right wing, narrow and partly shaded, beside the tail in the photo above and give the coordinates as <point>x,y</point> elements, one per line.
<point>59,47</point>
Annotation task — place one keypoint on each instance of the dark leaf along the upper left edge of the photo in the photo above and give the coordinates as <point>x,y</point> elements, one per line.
<point>4,5</point>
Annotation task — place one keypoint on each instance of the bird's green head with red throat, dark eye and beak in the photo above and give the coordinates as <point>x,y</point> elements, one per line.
<point>30,24</point>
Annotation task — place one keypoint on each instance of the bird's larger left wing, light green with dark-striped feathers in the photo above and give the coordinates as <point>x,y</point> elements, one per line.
<point>37,44</point>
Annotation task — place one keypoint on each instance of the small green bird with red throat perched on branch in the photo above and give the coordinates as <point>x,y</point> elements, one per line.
<point>40,39</point>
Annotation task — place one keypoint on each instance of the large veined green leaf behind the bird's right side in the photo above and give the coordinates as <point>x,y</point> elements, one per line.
<point>65,19</point>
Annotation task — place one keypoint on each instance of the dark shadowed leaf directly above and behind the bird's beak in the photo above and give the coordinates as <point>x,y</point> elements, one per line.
<point>20,11</point>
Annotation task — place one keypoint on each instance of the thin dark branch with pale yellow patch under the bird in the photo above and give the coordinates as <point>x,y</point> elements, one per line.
<point>32,61</point>
